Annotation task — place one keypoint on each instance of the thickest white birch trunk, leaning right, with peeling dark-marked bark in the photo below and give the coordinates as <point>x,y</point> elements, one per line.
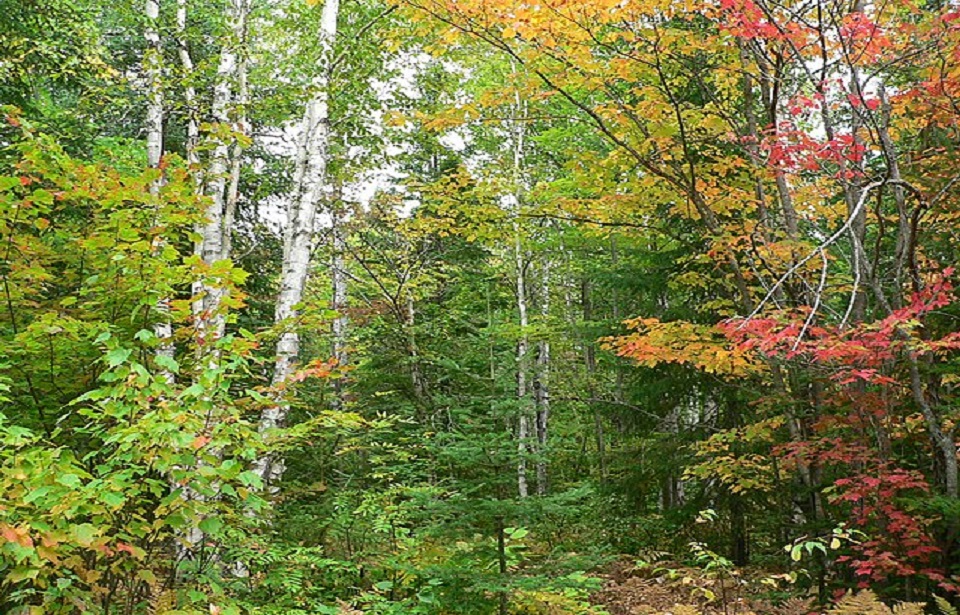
<point>311,172</point>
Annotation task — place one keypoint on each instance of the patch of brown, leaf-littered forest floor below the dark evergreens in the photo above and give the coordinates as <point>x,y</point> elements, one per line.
<point>672,589</point>
